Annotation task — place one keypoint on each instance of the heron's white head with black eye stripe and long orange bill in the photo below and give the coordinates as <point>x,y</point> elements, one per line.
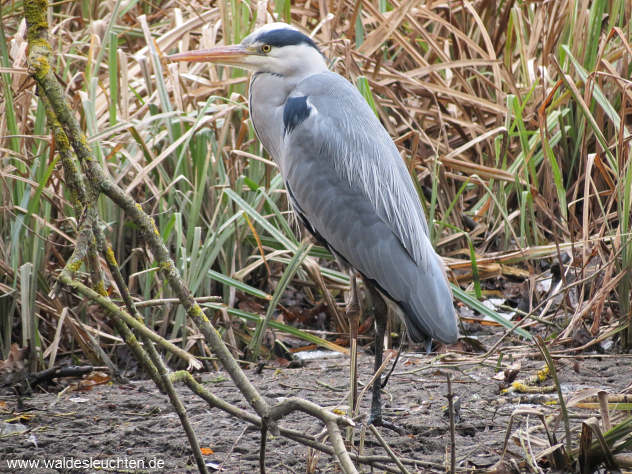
<point>276,48</point>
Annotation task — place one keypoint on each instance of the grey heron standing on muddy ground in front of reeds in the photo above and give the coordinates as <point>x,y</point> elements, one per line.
<point>345,180</point>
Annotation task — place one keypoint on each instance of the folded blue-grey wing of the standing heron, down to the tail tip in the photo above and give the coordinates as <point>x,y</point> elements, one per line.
<point>346,178</point>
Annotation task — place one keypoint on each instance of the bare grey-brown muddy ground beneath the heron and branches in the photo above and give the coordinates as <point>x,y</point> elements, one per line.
<point>134,424</point>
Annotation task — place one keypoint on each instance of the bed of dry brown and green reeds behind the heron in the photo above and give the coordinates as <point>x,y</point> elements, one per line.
<point>513,118</point>
